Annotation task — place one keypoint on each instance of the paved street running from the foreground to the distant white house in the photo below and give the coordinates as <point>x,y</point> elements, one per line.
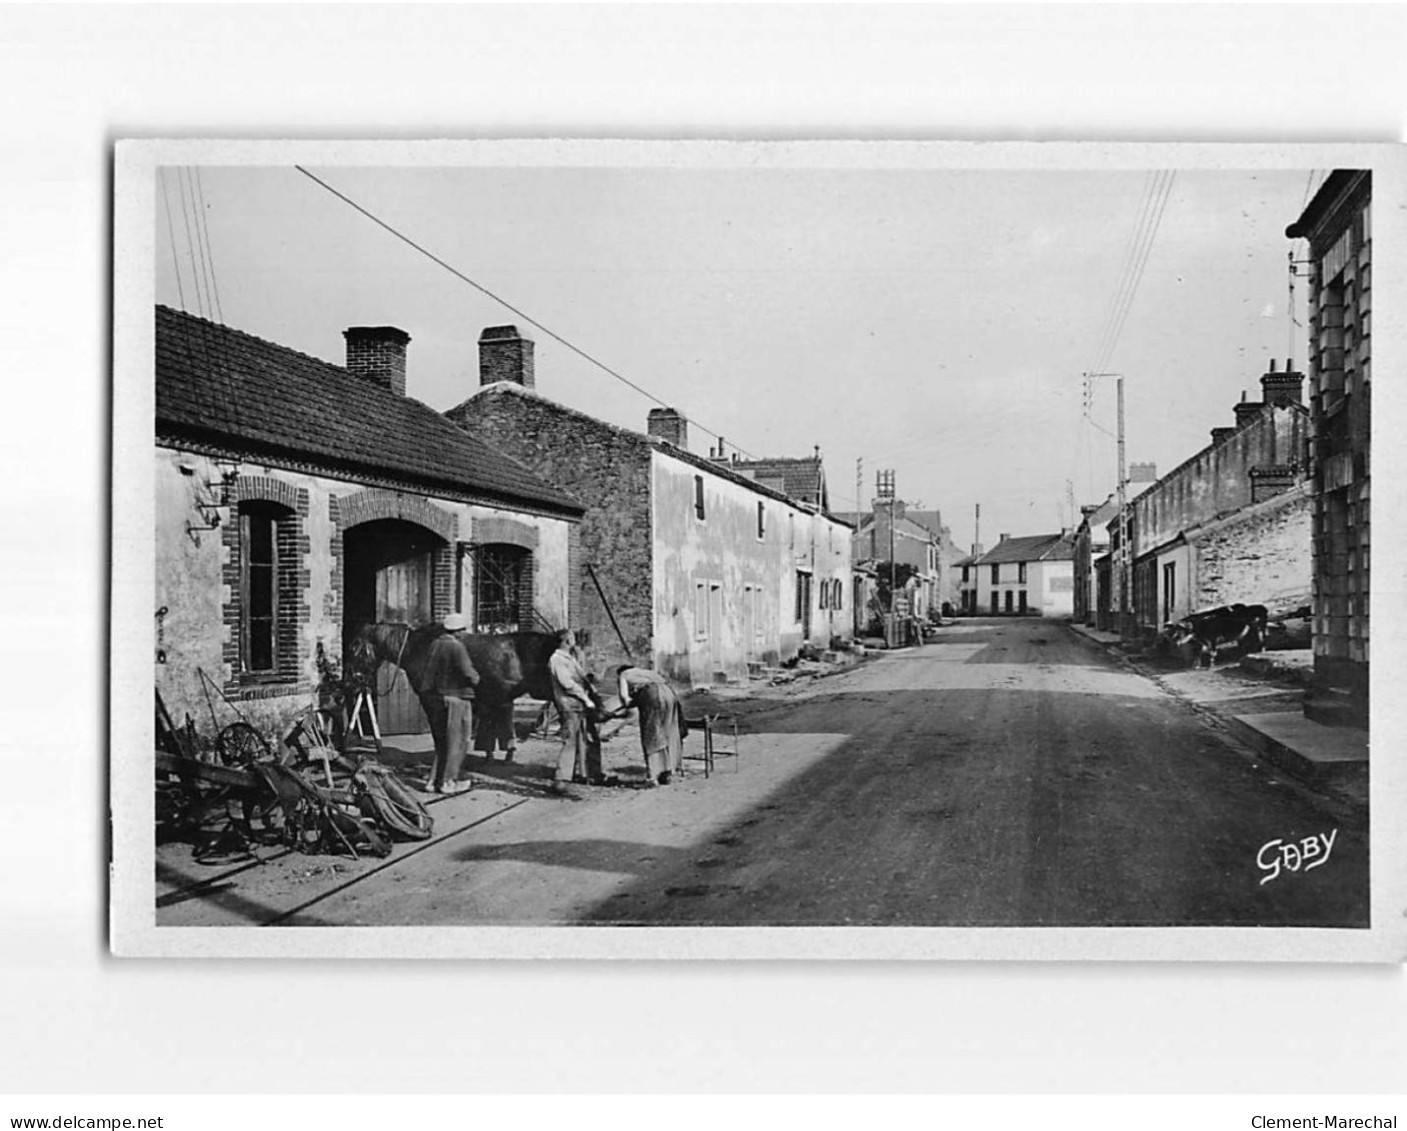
<point>1011,776</point>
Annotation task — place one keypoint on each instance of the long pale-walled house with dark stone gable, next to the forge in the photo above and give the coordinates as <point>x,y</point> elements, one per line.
<point>685,563</point>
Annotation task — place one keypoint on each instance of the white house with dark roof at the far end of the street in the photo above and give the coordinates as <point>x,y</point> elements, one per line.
<point>1031,575</point>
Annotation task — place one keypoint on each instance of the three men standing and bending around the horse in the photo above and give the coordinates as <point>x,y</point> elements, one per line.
<point>452,680</point>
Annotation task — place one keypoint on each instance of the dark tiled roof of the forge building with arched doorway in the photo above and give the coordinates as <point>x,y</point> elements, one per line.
<point>223,386</point>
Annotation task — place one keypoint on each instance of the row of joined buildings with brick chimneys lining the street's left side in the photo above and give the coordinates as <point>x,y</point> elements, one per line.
<point>298,500</point>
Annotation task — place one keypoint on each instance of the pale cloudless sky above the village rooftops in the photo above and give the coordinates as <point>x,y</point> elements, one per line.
<point>936,323</point>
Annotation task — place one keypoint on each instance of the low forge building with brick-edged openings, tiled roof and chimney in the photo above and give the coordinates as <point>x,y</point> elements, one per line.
<point>298,500</point>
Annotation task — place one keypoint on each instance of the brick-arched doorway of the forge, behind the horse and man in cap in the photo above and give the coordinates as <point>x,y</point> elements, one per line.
<point>389,570</point>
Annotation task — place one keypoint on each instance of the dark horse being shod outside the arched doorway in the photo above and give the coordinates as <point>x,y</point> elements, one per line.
<point>509,666</point>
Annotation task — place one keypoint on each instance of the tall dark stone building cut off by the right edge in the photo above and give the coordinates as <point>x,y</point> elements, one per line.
<point>1337,223</point>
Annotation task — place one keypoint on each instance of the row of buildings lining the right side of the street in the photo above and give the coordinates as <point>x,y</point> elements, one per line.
<point>1275,510</point>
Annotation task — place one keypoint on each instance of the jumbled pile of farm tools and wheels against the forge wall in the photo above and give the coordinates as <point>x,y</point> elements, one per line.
<point>233,793</point>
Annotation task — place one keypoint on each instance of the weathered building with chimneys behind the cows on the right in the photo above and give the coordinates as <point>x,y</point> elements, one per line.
<point>1229,525</point>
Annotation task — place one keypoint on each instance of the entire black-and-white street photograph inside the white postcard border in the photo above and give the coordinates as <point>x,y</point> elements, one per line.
<point>762,547</point>
